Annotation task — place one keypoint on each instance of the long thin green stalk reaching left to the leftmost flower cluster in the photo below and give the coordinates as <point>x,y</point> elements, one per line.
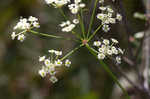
<point>51,36</point>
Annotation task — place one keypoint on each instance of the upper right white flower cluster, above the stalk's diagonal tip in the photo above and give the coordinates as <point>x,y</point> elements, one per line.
<point>106,16</point>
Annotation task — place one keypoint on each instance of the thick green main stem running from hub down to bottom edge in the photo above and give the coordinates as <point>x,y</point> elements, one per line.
<point>108,71</point>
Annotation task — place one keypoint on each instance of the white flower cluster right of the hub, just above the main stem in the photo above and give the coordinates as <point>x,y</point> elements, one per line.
<point>108,48</point>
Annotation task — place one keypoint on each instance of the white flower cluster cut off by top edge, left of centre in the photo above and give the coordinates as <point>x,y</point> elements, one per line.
<point>57,3</point>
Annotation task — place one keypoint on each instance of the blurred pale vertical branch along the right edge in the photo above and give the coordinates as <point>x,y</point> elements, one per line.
<point>146,51</point>
